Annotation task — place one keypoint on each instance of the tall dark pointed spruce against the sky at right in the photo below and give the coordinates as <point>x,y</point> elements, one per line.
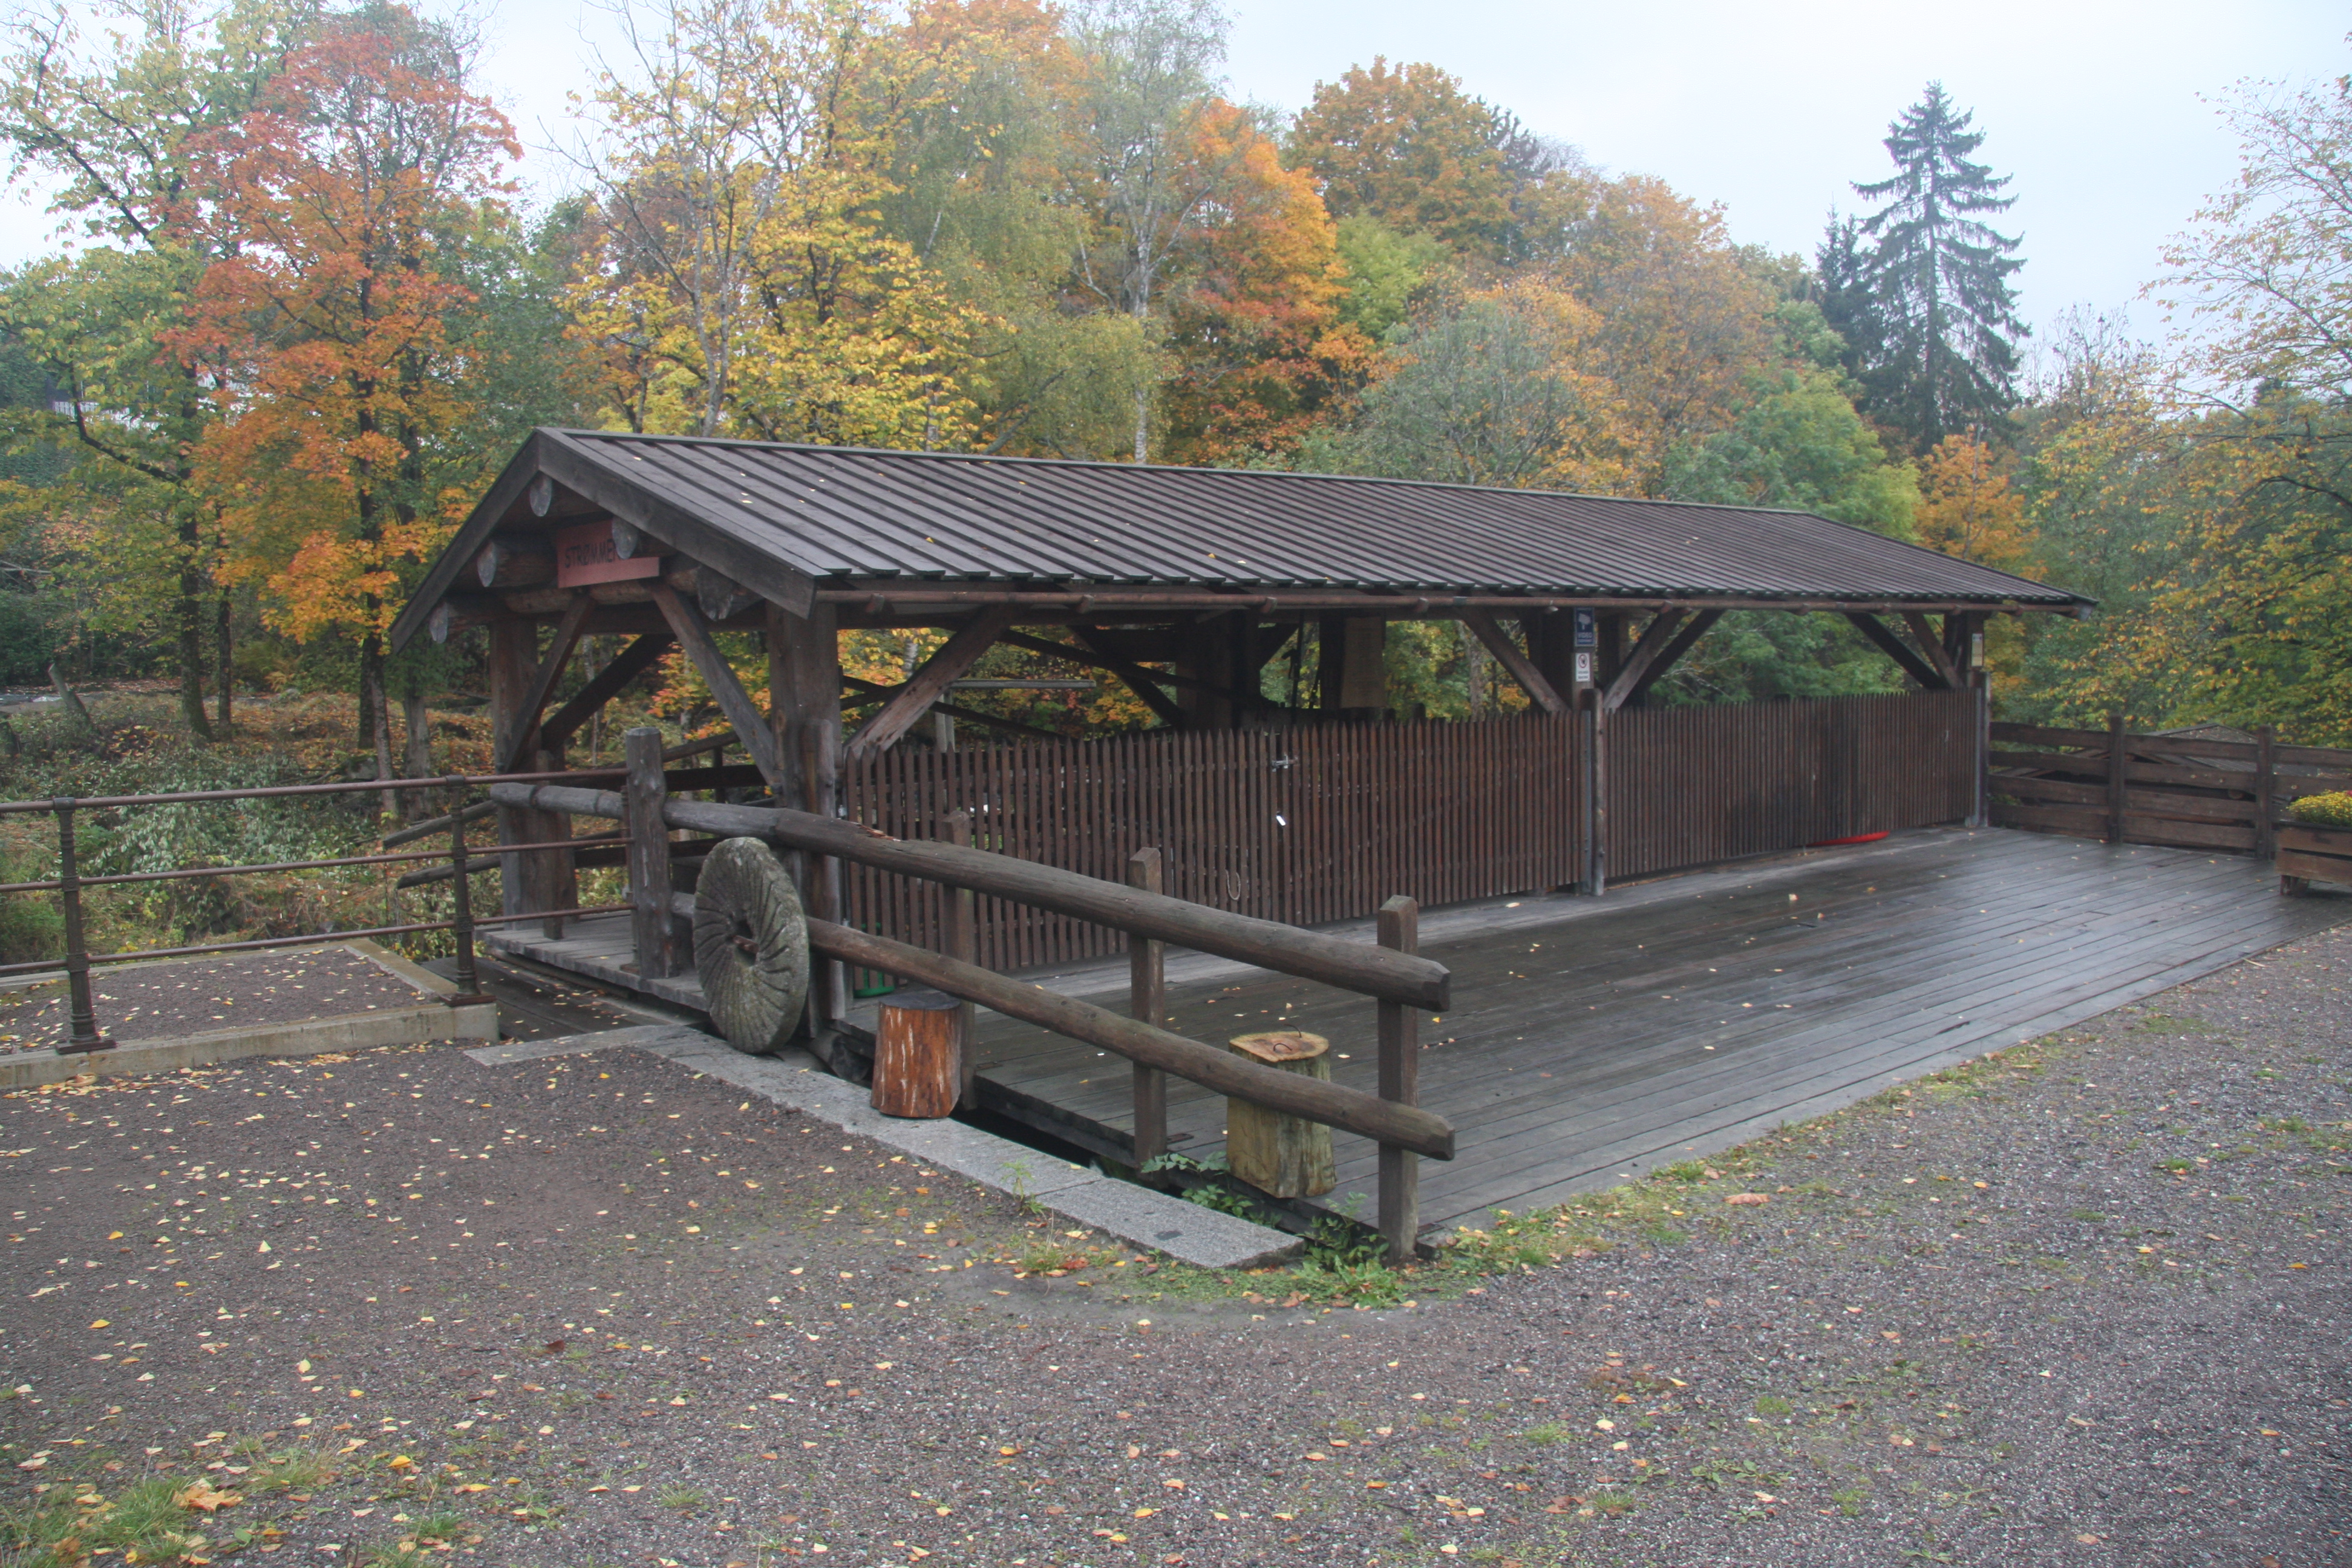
<point>1937,319</point>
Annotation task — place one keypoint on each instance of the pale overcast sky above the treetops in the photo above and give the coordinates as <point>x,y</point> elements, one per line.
<point>2102,109</point>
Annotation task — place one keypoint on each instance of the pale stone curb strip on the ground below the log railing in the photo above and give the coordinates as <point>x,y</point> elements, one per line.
<point>794,1080</point>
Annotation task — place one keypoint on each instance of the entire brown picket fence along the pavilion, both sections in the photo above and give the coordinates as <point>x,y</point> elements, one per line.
<point>1321,824</point>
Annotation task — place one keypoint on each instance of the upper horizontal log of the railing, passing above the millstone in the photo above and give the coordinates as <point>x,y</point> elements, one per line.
<point>1267,944</point>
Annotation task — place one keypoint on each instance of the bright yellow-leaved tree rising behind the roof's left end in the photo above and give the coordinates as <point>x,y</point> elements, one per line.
<point>744,279</point>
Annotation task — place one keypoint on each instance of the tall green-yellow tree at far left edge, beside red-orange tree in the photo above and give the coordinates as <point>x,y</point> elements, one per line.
<point>119,126</point>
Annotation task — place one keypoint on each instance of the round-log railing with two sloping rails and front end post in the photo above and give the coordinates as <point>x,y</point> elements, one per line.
<point>1389,972</point>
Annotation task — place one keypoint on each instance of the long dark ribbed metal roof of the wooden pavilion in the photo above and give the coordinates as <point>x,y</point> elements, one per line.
<point>874,516</point>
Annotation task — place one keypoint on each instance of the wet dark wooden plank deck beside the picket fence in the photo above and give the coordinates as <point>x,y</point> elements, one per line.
<point>1596,1040</point>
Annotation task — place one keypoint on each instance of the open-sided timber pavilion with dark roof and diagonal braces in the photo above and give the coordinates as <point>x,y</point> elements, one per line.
<point>1184,584</point>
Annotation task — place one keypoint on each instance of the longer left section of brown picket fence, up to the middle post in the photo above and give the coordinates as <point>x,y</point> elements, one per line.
<point>1304,826</point>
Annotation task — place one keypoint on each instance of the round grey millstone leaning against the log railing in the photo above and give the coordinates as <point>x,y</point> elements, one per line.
<point>751,946</point>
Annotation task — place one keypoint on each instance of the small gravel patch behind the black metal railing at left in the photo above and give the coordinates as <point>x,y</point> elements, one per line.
<point>180,1000</point>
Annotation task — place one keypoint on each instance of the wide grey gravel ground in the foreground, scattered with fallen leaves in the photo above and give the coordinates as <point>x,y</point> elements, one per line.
<point>2083,1304</point>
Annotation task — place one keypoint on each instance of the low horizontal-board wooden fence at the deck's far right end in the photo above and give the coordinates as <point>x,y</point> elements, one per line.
<point>2184,791</point>
